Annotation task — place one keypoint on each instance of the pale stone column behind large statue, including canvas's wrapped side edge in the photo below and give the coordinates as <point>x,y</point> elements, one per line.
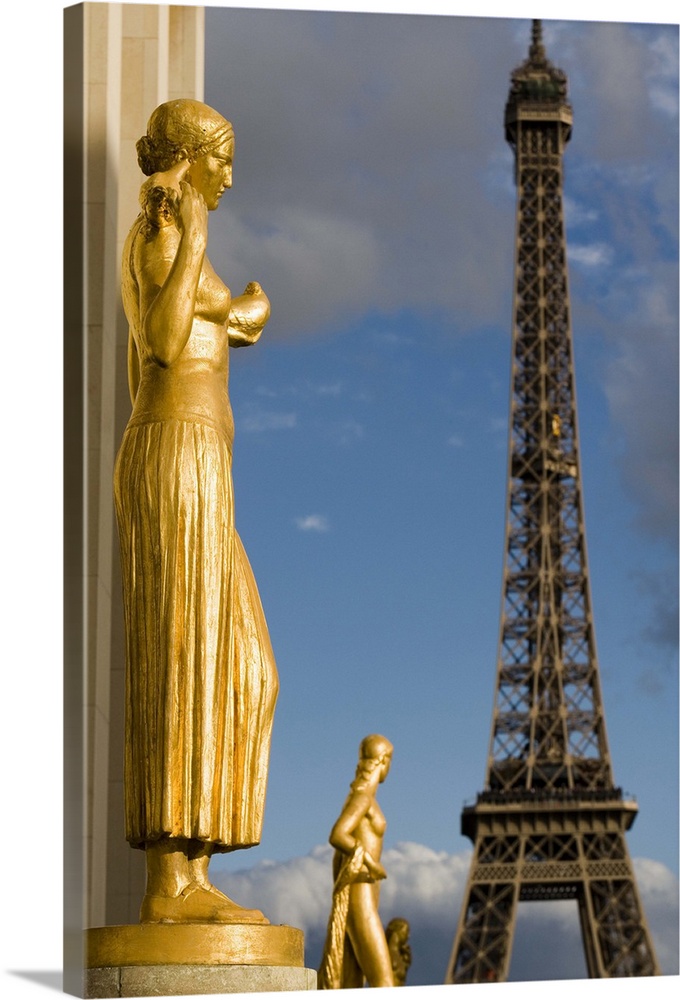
<point>121,61</point>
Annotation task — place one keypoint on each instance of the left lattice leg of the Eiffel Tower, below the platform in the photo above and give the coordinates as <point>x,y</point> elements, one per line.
<point>483,945</point>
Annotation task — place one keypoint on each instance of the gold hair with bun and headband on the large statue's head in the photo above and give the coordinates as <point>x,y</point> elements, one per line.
<point>182,130</point>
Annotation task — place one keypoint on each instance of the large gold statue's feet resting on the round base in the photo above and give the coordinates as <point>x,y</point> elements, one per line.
<point>197,905</point>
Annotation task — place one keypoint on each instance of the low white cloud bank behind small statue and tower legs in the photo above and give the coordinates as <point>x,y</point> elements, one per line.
<point>426,887</point>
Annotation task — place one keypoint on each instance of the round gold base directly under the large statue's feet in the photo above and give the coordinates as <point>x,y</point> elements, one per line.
<point>194,944</point>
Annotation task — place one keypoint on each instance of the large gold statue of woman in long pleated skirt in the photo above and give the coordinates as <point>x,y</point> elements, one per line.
<point>201,680</point>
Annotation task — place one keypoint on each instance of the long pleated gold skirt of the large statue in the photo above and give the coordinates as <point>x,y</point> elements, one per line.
<point>201,680</point>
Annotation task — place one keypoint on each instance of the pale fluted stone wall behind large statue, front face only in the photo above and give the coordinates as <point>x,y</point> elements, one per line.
<point>135,56</point>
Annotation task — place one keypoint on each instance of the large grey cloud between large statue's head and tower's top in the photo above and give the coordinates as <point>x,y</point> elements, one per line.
<point>359,186</point>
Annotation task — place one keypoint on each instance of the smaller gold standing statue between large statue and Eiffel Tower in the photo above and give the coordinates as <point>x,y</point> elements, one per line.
<point>356,948</point>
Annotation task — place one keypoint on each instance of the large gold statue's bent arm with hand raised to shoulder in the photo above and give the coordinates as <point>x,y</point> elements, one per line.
<point>168,283</point>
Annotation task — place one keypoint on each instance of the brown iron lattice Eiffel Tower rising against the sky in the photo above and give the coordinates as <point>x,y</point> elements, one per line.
<point>550,823</point>
